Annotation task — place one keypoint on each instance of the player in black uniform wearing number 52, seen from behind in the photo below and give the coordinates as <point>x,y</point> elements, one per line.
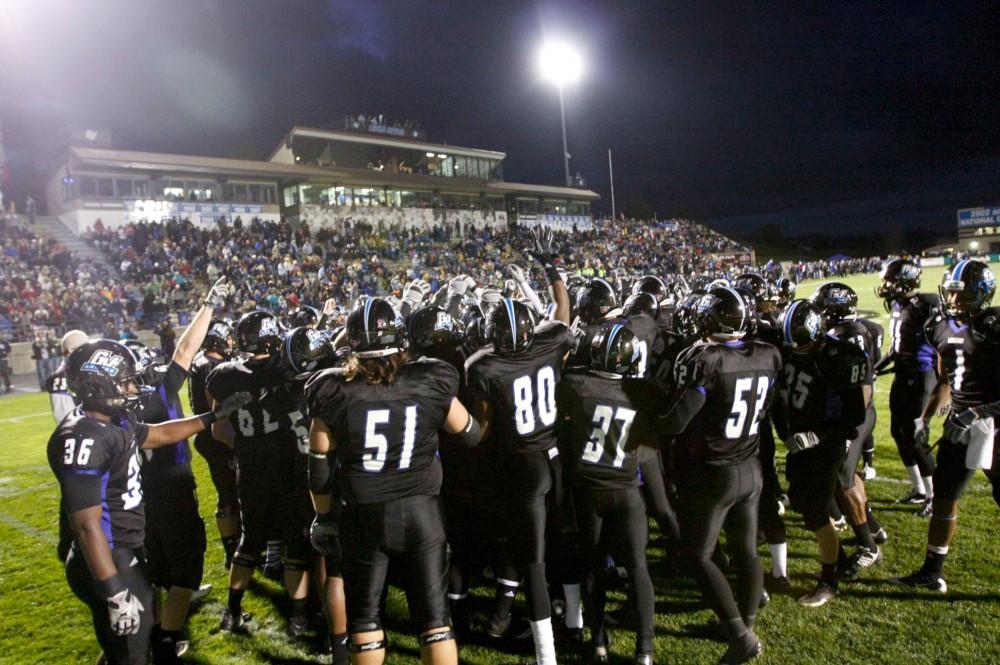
<point>716,419</point>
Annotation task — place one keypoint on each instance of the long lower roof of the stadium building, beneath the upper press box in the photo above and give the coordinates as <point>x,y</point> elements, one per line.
<point>295,173</point>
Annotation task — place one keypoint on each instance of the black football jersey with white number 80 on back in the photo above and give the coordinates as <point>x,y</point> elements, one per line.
<point>522,389</point>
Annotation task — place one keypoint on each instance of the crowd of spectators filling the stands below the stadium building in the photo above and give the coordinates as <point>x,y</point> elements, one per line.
<point>280,265</point>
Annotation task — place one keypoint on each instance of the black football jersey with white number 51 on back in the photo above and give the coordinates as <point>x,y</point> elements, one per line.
<point>386,435</point>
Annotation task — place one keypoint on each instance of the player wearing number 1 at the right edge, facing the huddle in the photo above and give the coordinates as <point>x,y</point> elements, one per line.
<point>967,337</point>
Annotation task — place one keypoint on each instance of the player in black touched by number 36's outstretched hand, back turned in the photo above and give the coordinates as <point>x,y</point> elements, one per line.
<point>266,436</point>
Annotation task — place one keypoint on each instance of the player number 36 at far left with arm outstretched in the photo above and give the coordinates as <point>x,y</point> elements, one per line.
<point>94,454</point>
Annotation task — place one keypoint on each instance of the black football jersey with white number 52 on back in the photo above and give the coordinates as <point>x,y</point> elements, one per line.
<point>737,379</point>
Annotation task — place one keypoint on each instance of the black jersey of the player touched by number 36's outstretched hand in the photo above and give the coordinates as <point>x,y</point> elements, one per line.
<point>272,422</point>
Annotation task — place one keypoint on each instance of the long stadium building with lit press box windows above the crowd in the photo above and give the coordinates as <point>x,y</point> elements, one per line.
<point>320,176</point>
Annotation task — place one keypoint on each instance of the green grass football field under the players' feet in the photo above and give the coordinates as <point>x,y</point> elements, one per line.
<point>872,621</point>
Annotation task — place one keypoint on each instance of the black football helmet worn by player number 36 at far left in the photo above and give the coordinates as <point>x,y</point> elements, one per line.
<point>104,377</point>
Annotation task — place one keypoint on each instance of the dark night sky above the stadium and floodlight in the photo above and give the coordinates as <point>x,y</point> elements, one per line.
<point>844,116</point>
